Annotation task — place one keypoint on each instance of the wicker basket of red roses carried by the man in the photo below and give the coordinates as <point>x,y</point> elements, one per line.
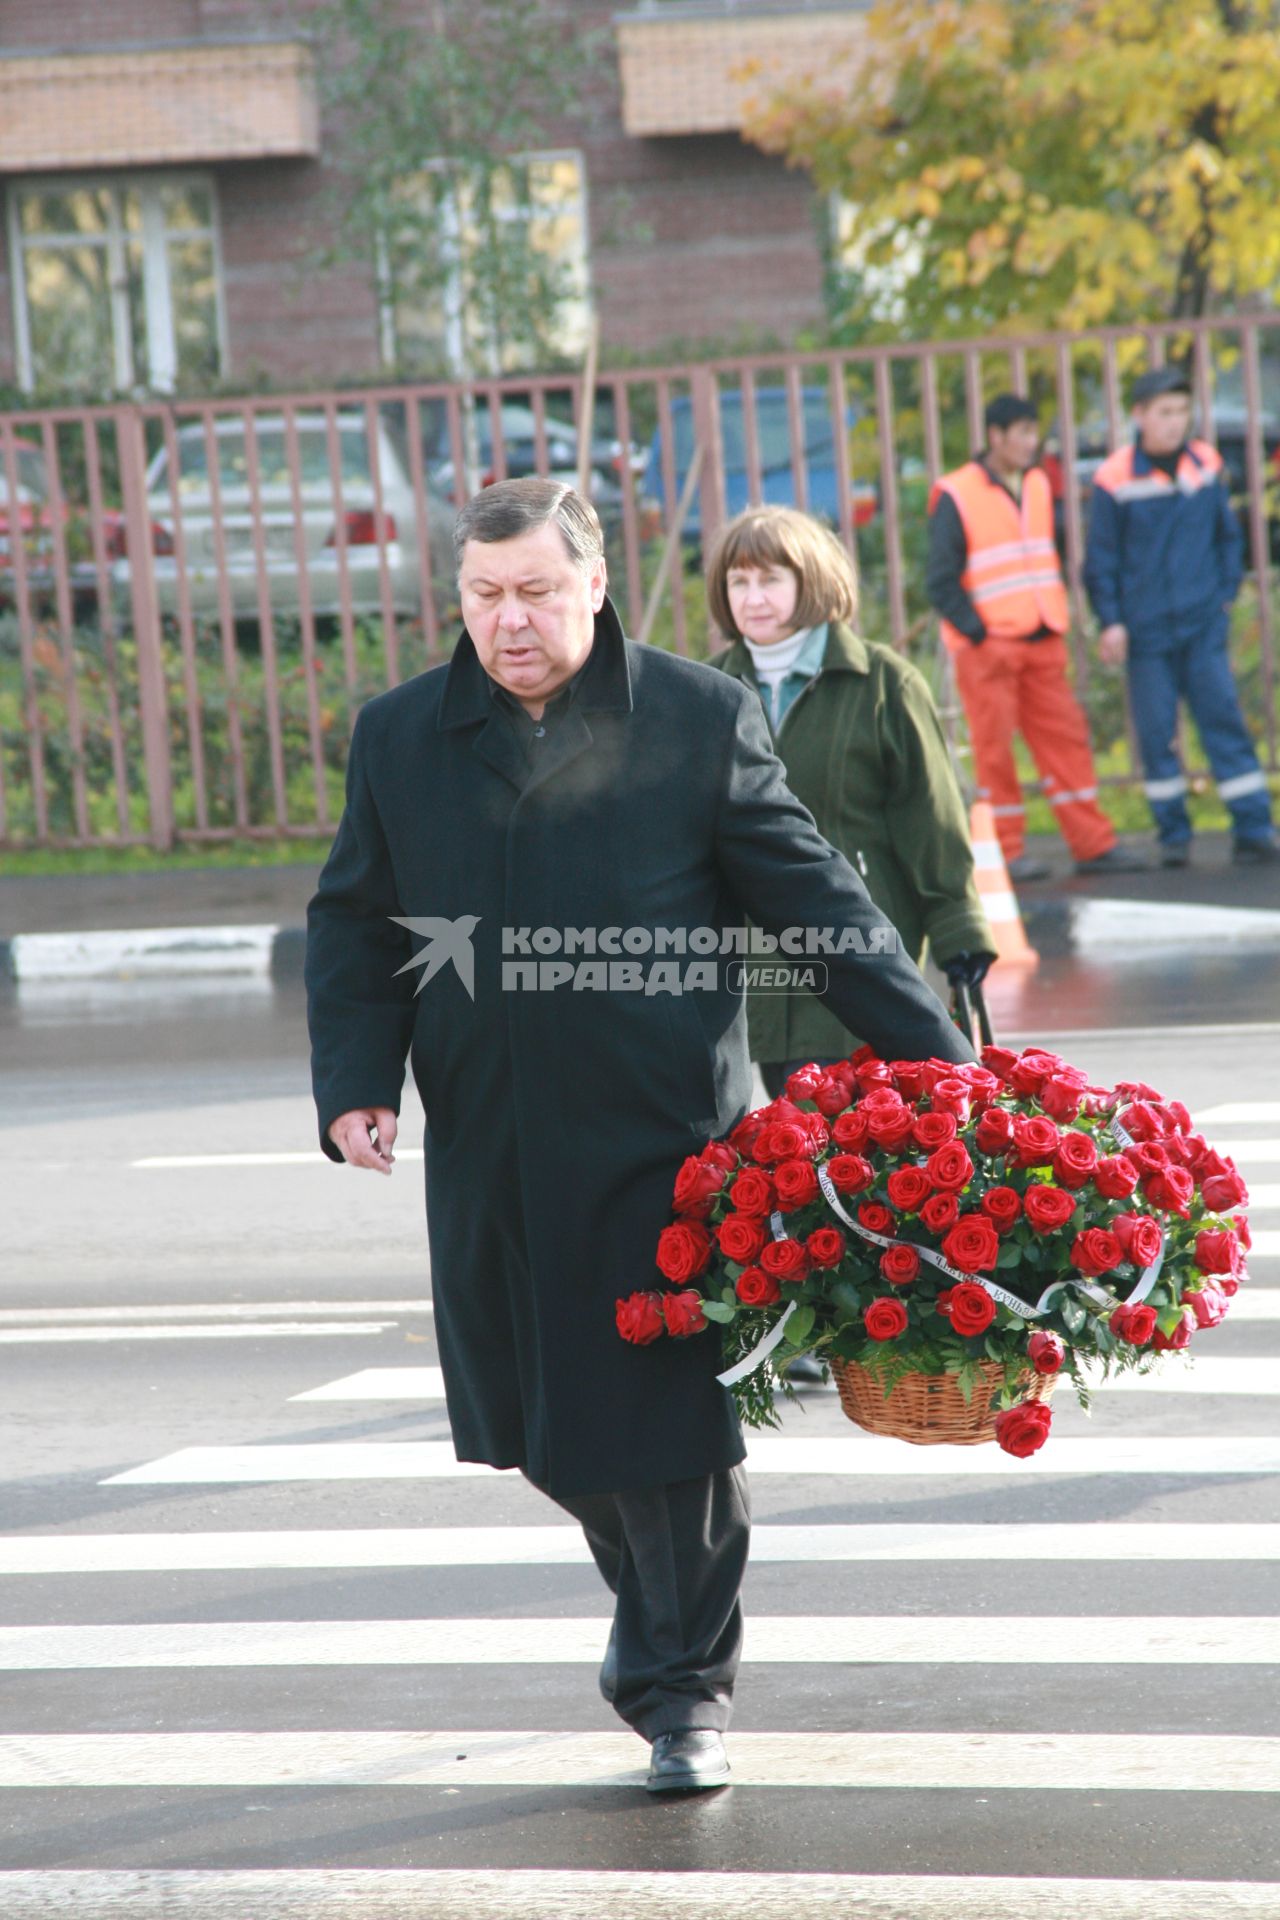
<point>951,1239</point>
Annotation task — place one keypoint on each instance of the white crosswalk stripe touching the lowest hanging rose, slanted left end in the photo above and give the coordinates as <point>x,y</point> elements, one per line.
<point>866,1454</point>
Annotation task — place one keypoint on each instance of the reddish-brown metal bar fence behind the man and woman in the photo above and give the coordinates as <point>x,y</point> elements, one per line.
<point>199,596</point>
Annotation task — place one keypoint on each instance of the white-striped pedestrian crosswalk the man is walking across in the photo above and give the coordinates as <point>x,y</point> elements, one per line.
<point>974,1689</point>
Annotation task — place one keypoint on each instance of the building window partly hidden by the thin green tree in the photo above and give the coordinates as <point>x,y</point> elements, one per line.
<point>486,272</point>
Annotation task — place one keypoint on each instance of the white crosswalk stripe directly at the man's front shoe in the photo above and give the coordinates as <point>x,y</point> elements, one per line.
<point>968,1764</point>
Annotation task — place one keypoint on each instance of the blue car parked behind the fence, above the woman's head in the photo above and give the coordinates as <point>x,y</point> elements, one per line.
<point>776,473</point>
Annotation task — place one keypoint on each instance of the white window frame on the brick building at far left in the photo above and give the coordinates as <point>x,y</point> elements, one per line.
<point>156,287</point>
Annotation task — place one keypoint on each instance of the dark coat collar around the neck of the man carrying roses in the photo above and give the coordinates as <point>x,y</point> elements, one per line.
<point>605,686</point>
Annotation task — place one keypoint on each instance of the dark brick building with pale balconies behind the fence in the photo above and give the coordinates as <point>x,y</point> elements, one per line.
<point>166,185</point>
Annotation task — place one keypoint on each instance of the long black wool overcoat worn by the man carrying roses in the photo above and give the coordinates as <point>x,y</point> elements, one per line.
<point>557,1120</point>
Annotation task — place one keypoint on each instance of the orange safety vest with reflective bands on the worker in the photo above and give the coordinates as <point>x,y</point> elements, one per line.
<point>1012,573</point>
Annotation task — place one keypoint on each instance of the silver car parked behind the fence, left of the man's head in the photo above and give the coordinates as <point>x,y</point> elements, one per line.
<point>279,521</point>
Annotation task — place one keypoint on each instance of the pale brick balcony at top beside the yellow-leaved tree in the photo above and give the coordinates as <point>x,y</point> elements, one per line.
<point>690,66</point>
